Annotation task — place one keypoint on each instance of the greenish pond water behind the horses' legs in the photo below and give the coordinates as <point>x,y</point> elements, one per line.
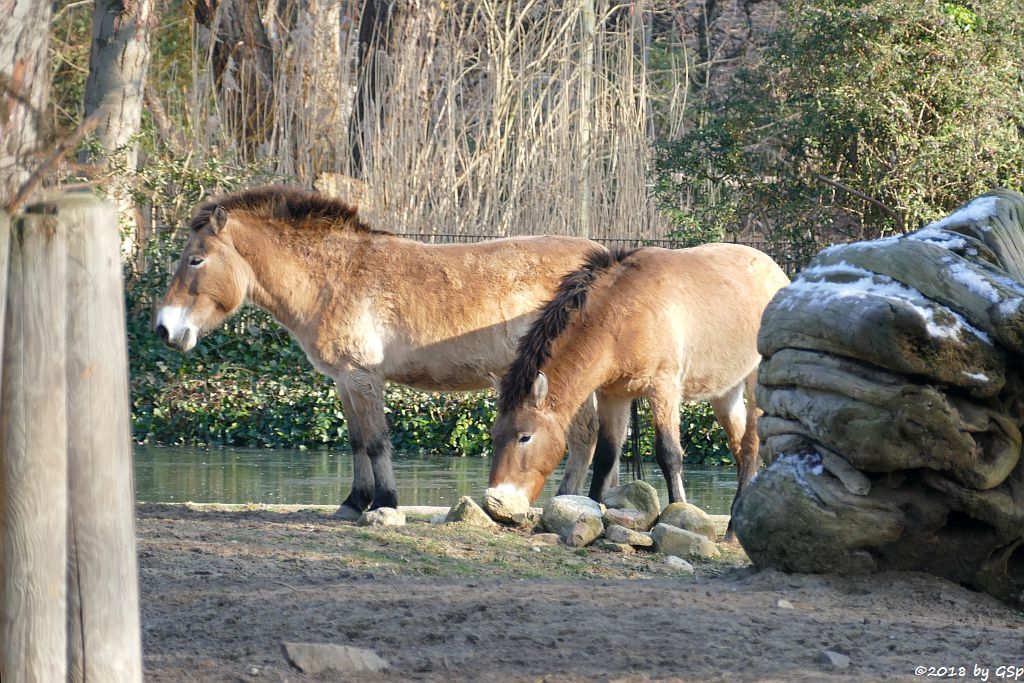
<point>284,477</point>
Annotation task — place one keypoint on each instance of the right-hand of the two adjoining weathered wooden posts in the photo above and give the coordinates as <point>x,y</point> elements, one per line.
<point>103,571</point>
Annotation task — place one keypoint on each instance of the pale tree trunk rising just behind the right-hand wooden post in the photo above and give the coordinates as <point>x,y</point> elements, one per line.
<point>118,65</point>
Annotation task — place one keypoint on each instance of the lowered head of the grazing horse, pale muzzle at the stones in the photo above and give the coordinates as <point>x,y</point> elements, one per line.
<point>529,443</point>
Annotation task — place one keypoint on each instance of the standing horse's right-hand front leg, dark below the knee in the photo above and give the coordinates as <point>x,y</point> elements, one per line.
<point>366,393</point>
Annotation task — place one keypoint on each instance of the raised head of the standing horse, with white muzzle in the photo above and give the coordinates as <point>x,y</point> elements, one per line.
<point>210,283</point>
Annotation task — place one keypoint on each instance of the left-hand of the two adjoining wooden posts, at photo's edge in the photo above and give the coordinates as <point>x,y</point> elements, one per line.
<point>34,443</point>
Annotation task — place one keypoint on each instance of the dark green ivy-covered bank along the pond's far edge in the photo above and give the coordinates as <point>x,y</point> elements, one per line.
<point>248,385</point>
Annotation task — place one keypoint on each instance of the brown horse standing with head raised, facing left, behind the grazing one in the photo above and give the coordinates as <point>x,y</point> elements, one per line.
<point>368,307</point>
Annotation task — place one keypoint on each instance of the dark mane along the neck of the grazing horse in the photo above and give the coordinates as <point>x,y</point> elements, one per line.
<point>535,348</point>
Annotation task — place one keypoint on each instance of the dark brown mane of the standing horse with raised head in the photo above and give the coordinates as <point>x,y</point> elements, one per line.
<point>284,202</point>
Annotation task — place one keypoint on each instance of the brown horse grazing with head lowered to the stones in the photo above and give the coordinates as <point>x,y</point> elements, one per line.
<point>670,326</point>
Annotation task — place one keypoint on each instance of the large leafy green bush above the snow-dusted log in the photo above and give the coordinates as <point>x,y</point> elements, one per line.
<point>863,118</point>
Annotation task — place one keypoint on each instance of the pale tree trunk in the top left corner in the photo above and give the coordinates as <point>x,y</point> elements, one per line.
<point>24,86</point>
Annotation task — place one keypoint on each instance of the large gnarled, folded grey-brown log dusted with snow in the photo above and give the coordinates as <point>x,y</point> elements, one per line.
<point>893,407</point>
